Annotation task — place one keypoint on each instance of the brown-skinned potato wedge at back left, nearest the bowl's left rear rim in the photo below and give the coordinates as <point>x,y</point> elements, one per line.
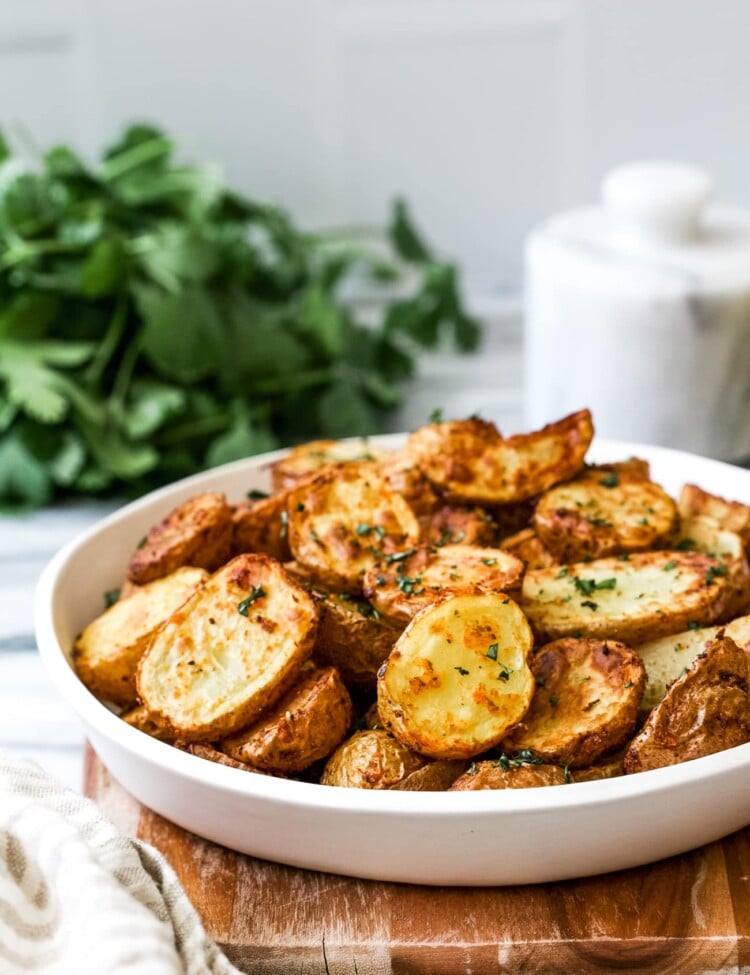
<point>198,532</point>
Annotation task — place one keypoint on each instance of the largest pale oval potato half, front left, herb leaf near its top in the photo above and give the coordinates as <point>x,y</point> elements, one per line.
<point>230,651</point>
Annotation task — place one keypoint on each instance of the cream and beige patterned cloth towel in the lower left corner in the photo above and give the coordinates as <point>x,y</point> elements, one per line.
<point>78,898</point>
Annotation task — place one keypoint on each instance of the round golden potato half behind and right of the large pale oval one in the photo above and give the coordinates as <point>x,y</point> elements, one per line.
<point>346,519</point>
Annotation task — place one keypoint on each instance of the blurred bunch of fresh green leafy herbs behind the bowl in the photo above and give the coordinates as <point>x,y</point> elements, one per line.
<point>154,322</point>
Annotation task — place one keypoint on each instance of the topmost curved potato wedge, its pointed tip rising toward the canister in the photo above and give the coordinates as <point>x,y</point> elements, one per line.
<point>468,460</point>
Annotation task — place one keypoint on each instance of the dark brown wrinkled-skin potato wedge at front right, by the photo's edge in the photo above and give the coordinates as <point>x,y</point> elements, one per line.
<point>706,710</point>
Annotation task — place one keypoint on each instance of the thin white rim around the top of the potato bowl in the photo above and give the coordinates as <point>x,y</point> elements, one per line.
<point>313,796</point>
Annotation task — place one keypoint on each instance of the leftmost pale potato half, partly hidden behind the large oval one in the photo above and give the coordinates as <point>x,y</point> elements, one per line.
<point>107,653</point>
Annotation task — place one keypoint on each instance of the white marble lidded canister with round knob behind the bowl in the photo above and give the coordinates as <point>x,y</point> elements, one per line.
<point>640,309</point>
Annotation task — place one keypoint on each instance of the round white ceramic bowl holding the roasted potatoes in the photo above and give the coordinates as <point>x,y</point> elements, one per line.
<point>503,837</point>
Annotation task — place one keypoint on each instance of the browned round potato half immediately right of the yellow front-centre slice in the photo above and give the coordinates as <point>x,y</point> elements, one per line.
<point>585,704</point>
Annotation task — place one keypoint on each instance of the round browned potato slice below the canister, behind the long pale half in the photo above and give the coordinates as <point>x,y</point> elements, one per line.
<point>595,516</point>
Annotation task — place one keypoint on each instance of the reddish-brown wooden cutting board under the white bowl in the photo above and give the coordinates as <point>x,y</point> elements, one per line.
<point>686,915</point>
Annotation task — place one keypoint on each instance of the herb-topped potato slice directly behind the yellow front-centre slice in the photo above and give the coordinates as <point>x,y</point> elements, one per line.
<point>402,585</point>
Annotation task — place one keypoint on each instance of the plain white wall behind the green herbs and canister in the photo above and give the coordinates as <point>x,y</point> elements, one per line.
<point>487,114</point>
